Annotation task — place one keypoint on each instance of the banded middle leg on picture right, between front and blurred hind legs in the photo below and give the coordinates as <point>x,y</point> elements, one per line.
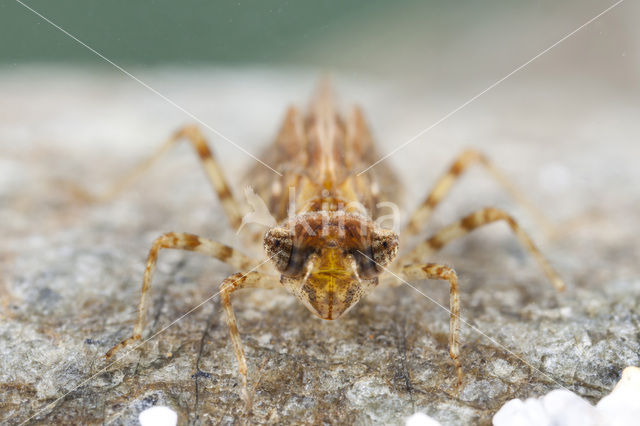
<point>475,220</point>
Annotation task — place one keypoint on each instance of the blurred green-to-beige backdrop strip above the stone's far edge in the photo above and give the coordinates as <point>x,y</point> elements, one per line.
<point>436,41</point>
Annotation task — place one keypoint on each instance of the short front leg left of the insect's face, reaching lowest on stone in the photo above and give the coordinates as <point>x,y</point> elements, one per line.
<point>228,286</point>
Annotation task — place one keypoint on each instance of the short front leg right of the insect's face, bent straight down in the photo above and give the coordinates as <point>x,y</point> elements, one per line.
<point>434,271</point>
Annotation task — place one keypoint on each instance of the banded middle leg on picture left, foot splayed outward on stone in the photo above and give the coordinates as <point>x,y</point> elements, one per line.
<point>179,241</point>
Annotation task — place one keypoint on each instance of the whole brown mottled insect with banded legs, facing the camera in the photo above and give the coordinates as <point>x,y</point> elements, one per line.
<point>327,247</point>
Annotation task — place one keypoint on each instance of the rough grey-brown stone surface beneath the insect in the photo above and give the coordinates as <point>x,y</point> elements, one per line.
<point>71,273</point>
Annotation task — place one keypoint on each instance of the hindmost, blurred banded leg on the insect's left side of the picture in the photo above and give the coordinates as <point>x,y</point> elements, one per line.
<point>209,162</point>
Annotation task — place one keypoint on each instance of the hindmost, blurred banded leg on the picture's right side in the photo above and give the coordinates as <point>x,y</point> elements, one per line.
<point>468,157</point>
